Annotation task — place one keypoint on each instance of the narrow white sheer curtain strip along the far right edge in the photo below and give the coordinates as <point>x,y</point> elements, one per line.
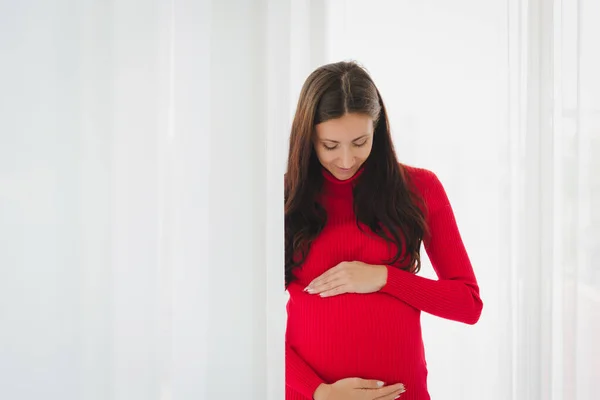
<point>574,323</point>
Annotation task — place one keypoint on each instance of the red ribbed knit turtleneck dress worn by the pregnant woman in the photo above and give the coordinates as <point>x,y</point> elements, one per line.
<point>376,335</point>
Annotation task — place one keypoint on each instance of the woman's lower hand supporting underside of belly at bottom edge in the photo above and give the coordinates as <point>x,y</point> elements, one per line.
<point>358,389</point>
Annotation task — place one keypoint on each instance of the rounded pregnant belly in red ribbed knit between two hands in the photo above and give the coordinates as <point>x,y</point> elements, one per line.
<point>372,336</point>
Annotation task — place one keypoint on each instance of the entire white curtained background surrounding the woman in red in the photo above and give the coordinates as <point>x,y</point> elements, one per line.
<point>142,147</point>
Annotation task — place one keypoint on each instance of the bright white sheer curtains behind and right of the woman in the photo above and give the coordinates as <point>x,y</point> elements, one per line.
<point>499,99</point>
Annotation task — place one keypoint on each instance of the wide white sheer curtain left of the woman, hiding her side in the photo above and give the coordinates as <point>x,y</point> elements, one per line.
<point>135,260</point>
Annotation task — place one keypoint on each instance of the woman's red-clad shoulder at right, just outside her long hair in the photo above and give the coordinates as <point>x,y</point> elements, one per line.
<point>426,183</point>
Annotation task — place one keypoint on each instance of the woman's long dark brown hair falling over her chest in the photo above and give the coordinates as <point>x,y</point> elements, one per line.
<point>384,200</point>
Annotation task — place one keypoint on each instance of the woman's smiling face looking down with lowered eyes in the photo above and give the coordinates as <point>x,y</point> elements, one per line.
<point>343,144</point>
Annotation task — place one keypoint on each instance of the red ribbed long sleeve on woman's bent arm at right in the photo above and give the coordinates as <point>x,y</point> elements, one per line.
<point>455,295</point>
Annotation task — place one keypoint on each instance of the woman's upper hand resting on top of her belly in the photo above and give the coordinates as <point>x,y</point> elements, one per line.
<point>349,277</point>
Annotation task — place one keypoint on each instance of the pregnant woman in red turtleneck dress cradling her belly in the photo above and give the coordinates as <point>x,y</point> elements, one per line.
<point>355,219</point>
